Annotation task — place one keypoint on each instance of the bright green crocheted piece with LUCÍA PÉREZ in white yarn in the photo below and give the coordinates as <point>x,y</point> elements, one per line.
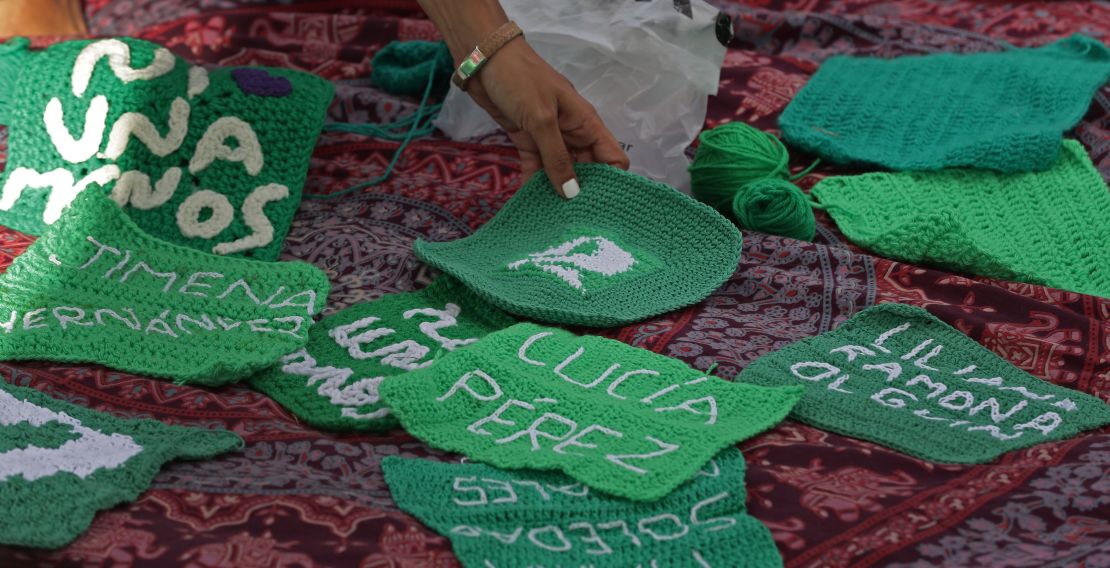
<point>622,420</point>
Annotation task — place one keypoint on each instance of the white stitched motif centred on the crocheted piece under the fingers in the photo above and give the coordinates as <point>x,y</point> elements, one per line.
<point>608,259</point>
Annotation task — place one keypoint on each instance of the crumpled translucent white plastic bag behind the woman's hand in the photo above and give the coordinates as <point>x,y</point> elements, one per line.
<point>647,66</point>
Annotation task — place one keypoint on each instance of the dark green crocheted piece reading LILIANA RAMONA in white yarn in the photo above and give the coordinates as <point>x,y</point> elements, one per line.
<point>896,376</point>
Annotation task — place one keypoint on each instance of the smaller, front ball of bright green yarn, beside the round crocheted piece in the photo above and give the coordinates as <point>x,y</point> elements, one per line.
<point>776,207</point>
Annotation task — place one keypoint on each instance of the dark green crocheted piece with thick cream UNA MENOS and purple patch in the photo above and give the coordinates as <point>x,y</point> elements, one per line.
<point>213,160</point>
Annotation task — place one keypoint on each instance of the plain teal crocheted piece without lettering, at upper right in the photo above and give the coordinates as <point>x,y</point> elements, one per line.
<point>1005,111</point>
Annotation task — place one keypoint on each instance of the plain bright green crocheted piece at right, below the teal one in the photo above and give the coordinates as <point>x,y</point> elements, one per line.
<point>1045,228</point>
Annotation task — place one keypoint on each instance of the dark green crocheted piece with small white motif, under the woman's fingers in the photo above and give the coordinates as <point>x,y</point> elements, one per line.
<point>624,250</point>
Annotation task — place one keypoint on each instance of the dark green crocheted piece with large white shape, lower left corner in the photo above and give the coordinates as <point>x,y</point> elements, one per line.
<point>62,463</point>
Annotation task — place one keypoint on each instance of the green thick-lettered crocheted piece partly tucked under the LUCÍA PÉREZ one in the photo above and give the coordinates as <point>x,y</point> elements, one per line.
<point>332,382</point>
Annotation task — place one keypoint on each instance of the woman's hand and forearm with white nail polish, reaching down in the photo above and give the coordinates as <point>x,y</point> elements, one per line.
<point>552,126</point>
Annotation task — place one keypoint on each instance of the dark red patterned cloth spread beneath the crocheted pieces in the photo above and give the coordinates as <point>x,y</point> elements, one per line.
<point>300,498</point>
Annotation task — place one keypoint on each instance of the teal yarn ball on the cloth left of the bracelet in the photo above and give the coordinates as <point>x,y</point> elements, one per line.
<point>402,67</point>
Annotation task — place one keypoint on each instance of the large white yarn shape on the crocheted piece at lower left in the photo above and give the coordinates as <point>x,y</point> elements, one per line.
<point>83,458</point>
